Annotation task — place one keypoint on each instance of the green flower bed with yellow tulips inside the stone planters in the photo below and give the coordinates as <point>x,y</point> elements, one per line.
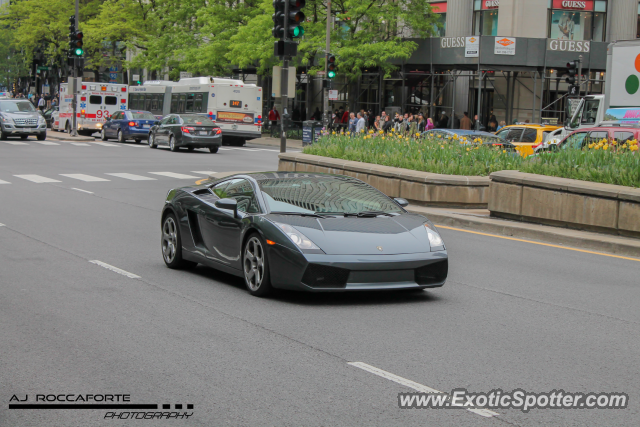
<point>602,161</point>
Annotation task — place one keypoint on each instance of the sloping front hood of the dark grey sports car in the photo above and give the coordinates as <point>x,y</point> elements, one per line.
<point>401,234</point>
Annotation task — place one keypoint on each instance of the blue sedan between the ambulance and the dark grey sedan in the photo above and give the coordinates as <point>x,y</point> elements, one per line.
<point>128,124</point>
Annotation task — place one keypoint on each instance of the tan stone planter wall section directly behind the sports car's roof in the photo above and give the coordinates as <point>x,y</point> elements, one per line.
<point>421,188</point>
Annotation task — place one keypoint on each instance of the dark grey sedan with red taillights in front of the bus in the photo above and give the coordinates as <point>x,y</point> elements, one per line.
<point>186,130</point>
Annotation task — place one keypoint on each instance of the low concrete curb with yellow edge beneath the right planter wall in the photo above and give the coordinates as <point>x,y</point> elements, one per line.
<point>561,236</point>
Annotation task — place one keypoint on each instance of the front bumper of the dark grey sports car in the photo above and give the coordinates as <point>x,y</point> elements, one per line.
<point>339,273</point>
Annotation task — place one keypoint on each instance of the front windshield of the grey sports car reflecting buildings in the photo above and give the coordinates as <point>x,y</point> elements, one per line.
<point>324,195</point>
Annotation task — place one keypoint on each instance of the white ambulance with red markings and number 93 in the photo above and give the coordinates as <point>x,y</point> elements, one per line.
<point>95,102</point>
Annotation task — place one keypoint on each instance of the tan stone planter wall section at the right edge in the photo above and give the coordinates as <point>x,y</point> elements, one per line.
<point>565,202</point>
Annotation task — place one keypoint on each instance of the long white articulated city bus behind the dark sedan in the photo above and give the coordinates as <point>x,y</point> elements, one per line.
<point>235,106</point>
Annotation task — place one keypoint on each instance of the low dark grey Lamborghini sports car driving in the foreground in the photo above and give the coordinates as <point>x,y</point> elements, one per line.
<point>302,231</point>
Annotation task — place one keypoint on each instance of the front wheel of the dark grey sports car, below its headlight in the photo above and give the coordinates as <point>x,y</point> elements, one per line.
<point>255,266</point>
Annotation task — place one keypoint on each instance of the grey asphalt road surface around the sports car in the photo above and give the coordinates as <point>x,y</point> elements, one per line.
<point>512,315</point>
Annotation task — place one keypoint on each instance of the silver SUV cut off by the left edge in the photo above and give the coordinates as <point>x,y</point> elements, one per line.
<point>18,117</point>
